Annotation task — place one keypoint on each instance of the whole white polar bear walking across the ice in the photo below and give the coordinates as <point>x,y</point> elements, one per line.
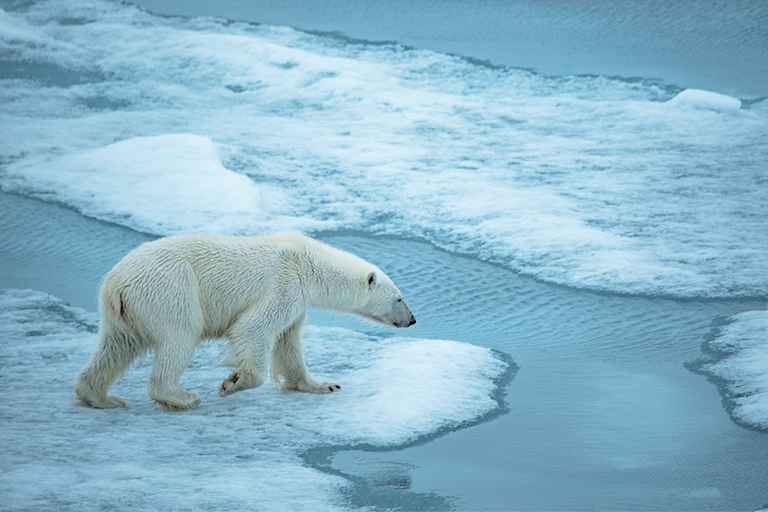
<point>171,294</point>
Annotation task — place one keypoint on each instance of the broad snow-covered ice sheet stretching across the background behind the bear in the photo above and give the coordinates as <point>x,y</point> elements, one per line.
<point>585,181</point>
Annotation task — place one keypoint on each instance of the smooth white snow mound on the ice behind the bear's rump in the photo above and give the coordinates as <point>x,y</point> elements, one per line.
<point>163,184</point>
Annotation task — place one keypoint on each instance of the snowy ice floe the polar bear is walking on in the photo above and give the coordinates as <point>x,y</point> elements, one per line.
<point>242,452</point>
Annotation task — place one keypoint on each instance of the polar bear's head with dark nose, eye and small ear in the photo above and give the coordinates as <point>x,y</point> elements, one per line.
<point>382,301</point>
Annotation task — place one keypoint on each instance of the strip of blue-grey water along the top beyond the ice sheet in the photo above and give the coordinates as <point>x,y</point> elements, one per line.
<point>717,46</point>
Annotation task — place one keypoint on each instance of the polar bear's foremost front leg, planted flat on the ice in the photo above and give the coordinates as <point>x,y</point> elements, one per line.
<point>288,362</point>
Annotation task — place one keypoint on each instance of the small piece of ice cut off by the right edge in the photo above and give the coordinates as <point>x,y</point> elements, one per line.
<point>743,365</point>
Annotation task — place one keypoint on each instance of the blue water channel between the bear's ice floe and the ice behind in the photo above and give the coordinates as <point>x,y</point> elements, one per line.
<point>600,414</point>
